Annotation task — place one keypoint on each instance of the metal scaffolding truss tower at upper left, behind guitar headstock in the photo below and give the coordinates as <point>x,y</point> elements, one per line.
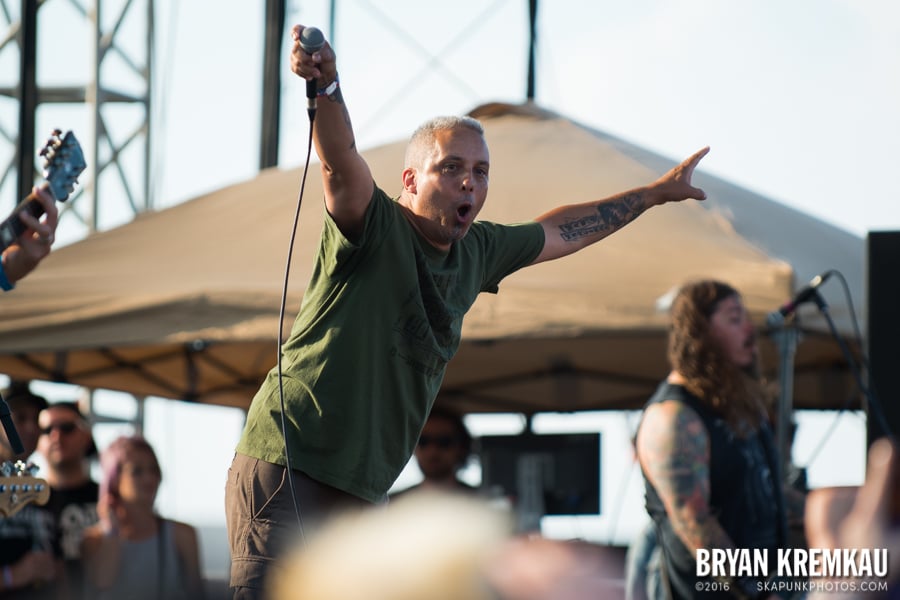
<point>107,47</point>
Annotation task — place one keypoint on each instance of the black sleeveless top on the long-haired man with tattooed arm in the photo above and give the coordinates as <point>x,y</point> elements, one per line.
<point>745,496</point>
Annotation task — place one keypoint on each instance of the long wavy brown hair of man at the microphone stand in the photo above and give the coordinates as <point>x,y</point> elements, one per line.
<point>734,392</point>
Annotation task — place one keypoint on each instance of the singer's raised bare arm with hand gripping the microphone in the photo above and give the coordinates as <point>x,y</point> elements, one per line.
<point>346,177</point>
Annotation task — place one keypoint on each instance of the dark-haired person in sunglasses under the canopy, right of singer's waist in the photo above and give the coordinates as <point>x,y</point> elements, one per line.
<point>442,450</point>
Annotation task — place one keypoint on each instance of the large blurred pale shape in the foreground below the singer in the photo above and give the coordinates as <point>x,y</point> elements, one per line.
<point>437,546</point>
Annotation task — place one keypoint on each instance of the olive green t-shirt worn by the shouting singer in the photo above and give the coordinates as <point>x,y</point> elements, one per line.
<point>378,324</point>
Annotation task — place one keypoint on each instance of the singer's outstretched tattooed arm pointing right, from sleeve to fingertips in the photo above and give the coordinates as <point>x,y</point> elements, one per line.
<point>568,229</point>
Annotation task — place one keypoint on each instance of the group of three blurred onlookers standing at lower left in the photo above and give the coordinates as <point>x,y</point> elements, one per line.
<point>90,540</point>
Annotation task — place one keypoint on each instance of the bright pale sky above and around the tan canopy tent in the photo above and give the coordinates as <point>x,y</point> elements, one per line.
<point>798,101</point>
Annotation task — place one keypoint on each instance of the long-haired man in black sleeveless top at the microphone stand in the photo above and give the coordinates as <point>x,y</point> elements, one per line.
<point>710,465</point>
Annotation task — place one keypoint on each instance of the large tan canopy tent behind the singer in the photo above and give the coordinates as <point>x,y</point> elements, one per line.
<point>184,303</point>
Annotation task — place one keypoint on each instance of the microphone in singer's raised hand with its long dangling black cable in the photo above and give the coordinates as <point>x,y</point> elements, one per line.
<point>311,40</point>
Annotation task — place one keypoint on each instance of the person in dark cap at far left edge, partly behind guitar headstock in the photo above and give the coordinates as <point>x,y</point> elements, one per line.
<point>26,556</point>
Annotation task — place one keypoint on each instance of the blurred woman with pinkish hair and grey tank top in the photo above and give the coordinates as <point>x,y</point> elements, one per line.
<point>132,552</point>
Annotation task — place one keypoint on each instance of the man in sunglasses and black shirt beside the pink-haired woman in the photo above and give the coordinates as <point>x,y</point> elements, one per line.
<point>67,446</point>
